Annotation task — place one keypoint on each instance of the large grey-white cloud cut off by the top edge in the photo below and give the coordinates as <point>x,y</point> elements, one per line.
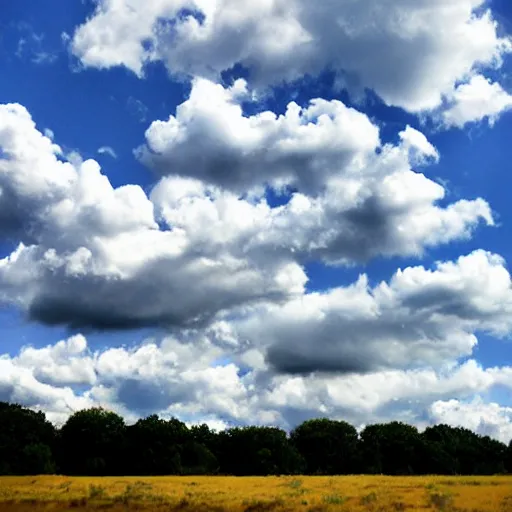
<point>409,52</point>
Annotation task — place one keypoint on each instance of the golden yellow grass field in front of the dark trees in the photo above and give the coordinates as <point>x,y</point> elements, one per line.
<point>265,494</point>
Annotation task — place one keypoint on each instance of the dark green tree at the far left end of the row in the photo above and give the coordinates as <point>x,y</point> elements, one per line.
<point>26,441</point>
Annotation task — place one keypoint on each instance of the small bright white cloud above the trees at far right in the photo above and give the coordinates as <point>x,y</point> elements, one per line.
<point>490,419</point>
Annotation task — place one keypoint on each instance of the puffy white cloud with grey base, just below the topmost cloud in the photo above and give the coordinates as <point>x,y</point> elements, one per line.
<point>211,139</point>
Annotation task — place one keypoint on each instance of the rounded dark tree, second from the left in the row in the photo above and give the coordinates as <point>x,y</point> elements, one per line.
<point>91,442</point>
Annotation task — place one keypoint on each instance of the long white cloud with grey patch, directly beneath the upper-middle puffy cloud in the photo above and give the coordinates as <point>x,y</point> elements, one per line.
<point>353,221</point>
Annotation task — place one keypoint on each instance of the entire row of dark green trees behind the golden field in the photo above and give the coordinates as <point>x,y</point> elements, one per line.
<point>97,442</point>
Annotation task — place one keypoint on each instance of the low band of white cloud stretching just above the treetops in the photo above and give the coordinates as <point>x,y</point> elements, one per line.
<point>176,377</point>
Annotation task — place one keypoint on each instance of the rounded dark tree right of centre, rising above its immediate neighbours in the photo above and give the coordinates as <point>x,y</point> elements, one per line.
<point>328,446</point>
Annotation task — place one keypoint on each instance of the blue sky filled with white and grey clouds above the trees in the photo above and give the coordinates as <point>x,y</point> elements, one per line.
<point>240,212</point>
